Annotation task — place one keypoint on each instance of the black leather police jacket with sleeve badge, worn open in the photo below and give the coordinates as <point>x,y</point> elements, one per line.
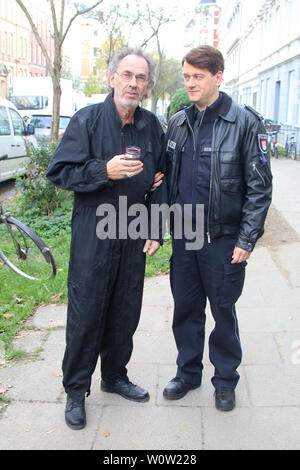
<point>240,181</point>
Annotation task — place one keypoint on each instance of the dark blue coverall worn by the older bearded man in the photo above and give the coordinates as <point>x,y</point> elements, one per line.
<point>105,280</point>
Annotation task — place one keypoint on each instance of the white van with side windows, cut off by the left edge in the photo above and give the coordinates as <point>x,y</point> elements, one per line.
<point>14,138</point>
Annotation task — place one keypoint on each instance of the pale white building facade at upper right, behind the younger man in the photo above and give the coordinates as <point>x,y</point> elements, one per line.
<point>261,44</point>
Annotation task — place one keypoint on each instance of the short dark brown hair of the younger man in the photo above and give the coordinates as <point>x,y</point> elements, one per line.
<point>205,57</point>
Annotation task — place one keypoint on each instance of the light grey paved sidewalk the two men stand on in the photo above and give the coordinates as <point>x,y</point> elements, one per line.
<point>267,415</point>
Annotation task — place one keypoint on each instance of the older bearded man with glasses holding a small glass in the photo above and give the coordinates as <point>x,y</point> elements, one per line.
<point>106,275</point>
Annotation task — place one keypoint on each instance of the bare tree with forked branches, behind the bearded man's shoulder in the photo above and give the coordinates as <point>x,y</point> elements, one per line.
<point>59,34</point>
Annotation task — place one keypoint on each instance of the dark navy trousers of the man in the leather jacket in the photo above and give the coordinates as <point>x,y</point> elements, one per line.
<point>195,277</point>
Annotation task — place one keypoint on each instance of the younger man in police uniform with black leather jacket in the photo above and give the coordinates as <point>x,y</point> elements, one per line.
<point>216,156</point>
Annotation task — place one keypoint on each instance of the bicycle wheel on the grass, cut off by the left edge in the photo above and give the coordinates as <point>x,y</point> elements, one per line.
<point>24,252</point>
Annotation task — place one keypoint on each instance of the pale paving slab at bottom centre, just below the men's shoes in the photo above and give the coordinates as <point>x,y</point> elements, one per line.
<point>154,429</point>
